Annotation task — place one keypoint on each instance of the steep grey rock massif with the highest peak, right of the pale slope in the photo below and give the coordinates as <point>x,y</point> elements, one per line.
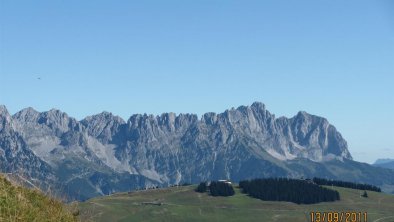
<point>169,148</point>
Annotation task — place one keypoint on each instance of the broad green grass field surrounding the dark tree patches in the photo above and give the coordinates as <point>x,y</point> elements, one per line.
<point>183,204</point>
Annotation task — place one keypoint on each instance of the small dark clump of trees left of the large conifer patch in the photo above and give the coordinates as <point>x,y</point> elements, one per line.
<point>216,188</point>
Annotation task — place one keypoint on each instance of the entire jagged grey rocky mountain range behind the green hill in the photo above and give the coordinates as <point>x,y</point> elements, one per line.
<point>103,153</point>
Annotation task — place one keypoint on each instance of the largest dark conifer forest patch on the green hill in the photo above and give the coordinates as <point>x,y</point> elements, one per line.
<point>292,190</point>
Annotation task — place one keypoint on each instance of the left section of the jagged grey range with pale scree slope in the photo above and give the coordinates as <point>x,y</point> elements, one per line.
<point>57,149</point>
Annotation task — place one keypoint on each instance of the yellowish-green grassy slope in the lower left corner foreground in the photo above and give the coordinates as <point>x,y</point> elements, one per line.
<point>22,204</point>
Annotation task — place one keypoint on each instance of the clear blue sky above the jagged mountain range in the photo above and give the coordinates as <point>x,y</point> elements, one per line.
<point>332,58</point>
